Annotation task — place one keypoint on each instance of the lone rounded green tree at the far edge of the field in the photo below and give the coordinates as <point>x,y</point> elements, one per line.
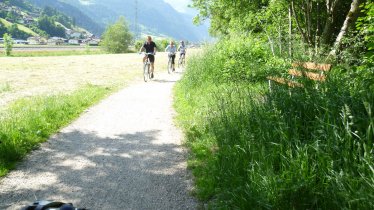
<point>117,37</point>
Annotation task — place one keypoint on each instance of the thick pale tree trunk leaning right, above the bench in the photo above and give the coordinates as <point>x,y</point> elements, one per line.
<point>349,21</point>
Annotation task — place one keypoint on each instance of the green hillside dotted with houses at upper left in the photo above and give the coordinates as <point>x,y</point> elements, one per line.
<point>22,19</point>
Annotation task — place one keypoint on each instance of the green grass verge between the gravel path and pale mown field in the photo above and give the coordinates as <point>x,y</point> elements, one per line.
<point>28,122</point>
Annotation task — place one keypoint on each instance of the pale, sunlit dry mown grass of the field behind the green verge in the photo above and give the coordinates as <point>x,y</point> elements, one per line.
<point>28,76</point>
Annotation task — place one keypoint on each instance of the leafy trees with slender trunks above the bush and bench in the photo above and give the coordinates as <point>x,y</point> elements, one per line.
<point>313,22</point>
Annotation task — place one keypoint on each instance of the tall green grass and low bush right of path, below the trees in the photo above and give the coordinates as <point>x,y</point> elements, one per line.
<point>289,148</point>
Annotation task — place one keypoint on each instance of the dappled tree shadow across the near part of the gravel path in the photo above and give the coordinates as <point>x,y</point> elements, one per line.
<point>126,171</point>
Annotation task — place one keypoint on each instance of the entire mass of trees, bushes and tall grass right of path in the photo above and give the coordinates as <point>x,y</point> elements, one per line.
<point>303,146</point>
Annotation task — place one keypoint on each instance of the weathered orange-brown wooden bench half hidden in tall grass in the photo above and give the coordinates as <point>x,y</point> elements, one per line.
<point>310,70</point>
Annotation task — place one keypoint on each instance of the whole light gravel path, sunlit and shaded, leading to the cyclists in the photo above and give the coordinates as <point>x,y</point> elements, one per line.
<point>124,153</point>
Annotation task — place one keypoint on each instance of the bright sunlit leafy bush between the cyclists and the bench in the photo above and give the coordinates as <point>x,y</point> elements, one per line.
<point>238,59</point>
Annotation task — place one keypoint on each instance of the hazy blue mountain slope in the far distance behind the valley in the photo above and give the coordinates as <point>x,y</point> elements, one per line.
<point>154,16</point>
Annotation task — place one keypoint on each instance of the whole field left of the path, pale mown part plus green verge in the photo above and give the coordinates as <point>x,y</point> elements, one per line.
<point>39,95</point>
